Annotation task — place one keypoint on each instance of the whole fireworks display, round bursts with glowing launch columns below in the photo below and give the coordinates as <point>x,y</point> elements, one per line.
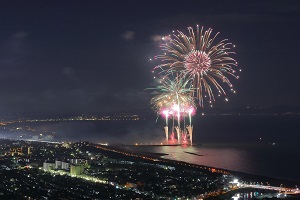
<point>193,66</point>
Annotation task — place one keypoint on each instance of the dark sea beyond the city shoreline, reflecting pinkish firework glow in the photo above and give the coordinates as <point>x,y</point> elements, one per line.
<point>266,145</point>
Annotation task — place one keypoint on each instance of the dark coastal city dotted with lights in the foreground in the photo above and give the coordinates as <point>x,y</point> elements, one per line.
<point>82,170</point>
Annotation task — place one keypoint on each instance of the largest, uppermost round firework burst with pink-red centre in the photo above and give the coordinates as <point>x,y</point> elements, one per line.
<point>197,57</point>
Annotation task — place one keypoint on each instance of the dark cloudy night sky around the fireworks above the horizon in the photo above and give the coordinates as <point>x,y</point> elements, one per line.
<point>85,56</point>
